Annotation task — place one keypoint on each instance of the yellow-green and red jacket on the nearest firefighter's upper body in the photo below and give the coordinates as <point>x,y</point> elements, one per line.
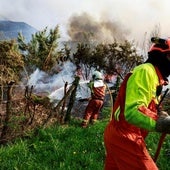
<point>138,97</point>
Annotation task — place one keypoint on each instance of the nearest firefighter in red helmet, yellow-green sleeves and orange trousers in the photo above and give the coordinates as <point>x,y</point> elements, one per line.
<point>135,112</point>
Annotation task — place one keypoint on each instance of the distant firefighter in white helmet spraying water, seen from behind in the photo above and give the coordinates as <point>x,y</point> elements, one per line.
<point>95,104</point>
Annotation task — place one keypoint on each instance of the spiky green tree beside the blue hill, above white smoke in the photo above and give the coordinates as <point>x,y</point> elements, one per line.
<point>41,52</point>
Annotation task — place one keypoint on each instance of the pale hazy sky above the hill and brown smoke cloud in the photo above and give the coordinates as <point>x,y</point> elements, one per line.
<point>139,17</point>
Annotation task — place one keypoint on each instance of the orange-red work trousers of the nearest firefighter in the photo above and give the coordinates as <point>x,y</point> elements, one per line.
<point>126,149</point>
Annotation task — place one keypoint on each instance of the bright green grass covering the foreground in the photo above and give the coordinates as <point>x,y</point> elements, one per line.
<point>68,147</point>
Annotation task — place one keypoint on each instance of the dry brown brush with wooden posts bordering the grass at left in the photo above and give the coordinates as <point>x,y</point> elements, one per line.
<point>27,111</point>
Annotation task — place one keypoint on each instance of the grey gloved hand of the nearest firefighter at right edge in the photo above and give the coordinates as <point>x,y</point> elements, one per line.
<point>163,122</point>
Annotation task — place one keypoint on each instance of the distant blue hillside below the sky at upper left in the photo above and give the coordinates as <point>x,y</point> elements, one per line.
<point>10,30</point>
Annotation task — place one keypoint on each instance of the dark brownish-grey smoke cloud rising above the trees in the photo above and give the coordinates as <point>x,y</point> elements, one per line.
<point>84,27</point>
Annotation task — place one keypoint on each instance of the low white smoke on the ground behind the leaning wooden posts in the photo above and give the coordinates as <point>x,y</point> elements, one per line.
<point>53,86</point>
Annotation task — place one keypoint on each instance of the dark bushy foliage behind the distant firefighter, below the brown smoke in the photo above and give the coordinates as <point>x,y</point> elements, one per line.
<point>116,58</point>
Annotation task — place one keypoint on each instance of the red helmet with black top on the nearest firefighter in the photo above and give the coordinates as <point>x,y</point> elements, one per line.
<point>159,44</point>
